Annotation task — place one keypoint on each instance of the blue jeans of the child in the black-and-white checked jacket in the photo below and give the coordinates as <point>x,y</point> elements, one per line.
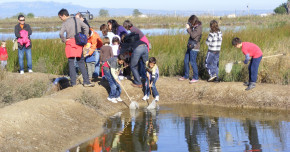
<point>212,63</point>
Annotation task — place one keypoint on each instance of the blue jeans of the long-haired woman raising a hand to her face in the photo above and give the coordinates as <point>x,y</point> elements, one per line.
<point>190,56</point>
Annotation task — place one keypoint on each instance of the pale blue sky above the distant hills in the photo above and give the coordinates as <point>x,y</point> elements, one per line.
<point>200,5</point>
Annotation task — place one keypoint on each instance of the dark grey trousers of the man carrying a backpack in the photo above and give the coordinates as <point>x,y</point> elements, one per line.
<point>72,70</point>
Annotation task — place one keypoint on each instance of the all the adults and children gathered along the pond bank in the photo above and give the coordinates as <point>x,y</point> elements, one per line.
<point>120,52</point>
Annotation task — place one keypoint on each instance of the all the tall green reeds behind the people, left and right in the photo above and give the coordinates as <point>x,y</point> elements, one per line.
<point>48,56</point>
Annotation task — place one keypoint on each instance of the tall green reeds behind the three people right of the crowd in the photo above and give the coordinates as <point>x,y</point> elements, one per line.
<point>170,50</point>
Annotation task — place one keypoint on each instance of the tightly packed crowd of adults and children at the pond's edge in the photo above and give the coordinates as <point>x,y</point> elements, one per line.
<point>119,52</point>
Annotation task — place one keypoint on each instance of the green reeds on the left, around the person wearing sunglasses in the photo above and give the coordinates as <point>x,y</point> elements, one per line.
<point>48,56</point>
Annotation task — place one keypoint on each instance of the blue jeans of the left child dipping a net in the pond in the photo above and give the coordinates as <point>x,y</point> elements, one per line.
<point>115,89</point>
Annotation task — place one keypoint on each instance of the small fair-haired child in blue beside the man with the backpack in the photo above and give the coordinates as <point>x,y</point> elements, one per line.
<point>89,59</point>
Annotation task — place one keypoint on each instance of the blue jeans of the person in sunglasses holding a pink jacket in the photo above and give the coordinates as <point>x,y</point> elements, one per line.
<point>28,58</point>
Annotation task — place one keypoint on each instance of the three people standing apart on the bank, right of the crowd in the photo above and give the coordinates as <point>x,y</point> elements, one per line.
<point>214,42</point>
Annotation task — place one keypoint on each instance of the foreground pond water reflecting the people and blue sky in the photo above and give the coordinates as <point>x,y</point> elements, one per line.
<point>181,128</point>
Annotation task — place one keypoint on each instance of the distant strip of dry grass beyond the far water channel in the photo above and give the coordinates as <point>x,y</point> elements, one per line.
<point>165,21</point>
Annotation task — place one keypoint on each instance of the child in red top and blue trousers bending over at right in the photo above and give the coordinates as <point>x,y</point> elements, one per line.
<point>250,50</point>
